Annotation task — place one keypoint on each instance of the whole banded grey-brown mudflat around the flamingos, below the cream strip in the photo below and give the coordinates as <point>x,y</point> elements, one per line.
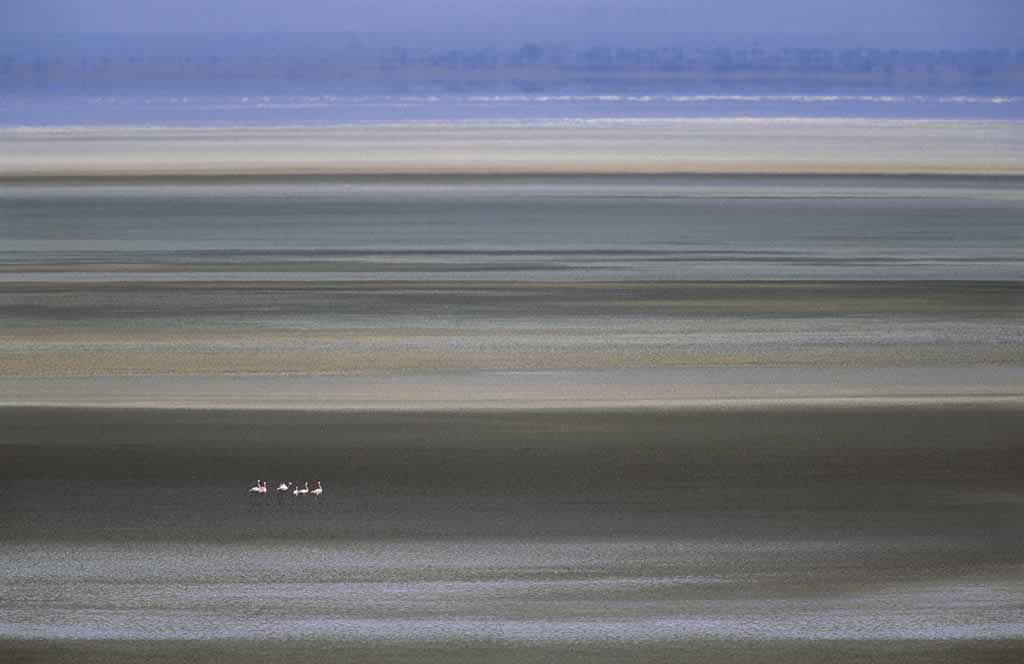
<point>756,418</point>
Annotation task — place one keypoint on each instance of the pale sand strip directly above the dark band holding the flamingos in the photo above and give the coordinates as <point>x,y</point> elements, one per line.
<point>681,388</point>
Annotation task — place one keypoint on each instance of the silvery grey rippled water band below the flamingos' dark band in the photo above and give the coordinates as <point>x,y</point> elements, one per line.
<point>638,590</point>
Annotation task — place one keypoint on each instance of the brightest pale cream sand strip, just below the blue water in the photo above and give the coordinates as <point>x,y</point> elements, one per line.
<point>687,146</point>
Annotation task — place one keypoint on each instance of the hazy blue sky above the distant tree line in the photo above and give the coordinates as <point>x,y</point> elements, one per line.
<point>931,24</point>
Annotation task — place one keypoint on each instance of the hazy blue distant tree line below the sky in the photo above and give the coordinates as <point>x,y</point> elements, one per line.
<point>190,61</point>
